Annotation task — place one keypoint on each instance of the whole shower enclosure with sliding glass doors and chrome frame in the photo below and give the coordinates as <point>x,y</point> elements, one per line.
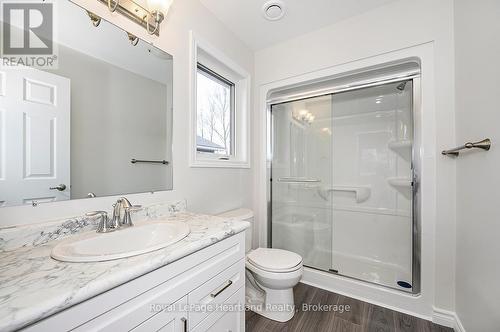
<point>343,187</point>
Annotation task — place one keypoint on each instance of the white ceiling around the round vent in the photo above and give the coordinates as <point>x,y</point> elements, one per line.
<point>245,18</point>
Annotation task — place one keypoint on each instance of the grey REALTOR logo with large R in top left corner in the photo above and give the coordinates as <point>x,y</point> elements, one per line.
<point>28,33</point>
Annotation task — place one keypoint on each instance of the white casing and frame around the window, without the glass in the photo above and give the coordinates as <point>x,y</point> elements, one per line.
<point>225,68</point>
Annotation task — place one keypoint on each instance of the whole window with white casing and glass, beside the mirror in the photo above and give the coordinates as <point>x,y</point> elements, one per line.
<point>219,109</point>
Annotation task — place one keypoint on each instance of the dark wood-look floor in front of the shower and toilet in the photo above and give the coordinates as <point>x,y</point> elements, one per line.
<point>361,317</point>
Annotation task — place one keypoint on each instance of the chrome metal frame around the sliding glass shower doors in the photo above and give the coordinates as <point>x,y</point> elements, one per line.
<point>415,163</point>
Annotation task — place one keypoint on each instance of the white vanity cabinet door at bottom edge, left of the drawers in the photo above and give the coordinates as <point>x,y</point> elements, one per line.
<point>172,319</point>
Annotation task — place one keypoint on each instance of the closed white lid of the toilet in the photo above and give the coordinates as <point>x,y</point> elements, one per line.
<point>274,259</point>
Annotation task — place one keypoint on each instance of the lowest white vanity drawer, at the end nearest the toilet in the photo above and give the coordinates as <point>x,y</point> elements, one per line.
<point>226,321</point>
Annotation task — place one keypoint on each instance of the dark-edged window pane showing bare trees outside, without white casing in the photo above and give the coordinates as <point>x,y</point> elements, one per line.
<point>214,113</point>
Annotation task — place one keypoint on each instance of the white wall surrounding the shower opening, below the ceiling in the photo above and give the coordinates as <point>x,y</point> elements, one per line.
<point>396,26</point>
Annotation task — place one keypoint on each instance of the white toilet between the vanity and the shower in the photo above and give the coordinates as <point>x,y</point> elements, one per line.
<point>271,275</point>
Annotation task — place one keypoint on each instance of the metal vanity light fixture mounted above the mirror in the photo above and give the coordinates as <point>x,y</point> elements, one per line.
<point>149,16</point>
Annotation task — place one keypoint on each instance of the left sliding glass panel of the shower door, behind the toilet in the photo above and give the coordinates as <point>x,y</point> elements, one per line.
<point>301,169</point>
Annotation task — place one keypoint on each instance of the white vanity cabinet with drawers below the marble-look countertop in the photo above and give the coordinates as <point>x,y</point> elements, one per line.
<point>203,291</point>
